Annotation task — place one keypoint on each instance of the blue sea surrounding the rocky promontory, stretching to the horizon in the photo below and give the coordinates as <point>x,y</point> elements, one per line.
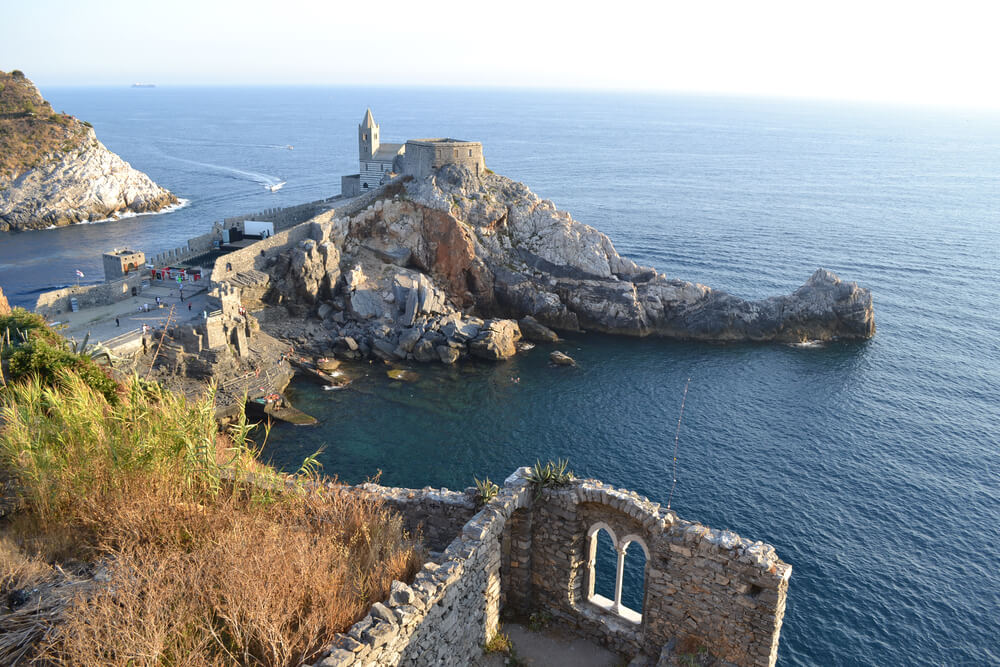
<point>872,467</point>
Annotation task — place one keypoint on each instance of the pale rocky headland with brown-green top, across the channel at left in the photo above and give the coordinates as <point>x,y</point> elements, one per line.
<point>54,171</point>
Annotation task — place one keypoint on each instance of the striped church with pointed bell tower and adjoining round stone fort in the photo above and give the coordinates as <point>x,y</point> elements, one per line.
<point>379,162</point>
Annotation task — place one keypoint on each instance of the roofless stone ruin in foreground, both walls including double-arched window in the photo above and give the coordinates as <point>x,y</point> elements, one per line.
<point>704,589</point>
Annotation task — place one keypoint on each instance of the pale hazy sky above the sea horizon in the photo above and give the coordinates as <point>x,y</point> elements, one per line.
<point>945,52</point>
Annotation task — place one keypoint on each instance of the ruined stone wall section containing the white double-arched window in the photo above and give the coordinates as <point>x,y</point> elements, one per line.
<point>703,588</point>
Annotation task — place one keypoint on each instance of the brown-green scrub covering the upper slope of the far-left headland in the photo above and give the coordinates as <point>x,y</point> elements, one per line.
<point>31,133</point>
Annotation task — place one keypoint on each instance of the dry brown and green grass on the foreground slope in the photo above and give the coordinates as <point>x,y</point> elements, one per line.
<point>200,570</point>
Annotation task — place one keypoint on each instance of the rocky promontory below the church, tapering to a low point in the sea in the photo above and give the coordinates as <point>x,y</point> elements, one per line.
<point>442,266</point>
